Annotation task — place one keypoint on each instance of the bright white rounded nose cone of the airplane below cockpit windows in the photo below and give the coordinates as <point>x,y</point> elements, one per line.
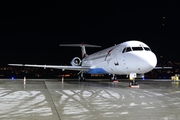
<point>147,61</point>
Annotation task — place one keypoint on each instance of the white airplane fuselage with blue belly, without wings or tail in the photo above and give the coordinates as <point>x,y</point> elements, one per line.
<point>125,58</point>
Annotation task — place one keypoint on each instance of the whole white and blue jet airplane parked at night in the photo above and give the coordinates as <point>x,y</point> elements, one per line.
<point>132,58</point>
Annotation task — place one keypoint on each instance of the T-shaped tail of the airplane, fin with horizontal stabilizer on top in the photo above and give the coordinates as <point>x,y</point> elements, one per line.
<point>83,49</point>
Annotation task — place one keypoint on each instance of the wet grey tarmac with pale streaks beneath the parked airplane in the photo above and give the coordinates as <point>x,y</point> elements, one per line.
<point>95,99</point>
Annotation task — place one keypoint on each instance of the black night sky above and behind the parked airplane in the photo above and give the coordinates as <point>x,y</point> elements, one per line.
<point>32,32</point>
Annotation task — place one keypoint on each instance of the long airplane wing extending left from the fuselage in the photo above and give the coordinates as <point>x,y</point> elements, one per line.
<point>78,68</point>
